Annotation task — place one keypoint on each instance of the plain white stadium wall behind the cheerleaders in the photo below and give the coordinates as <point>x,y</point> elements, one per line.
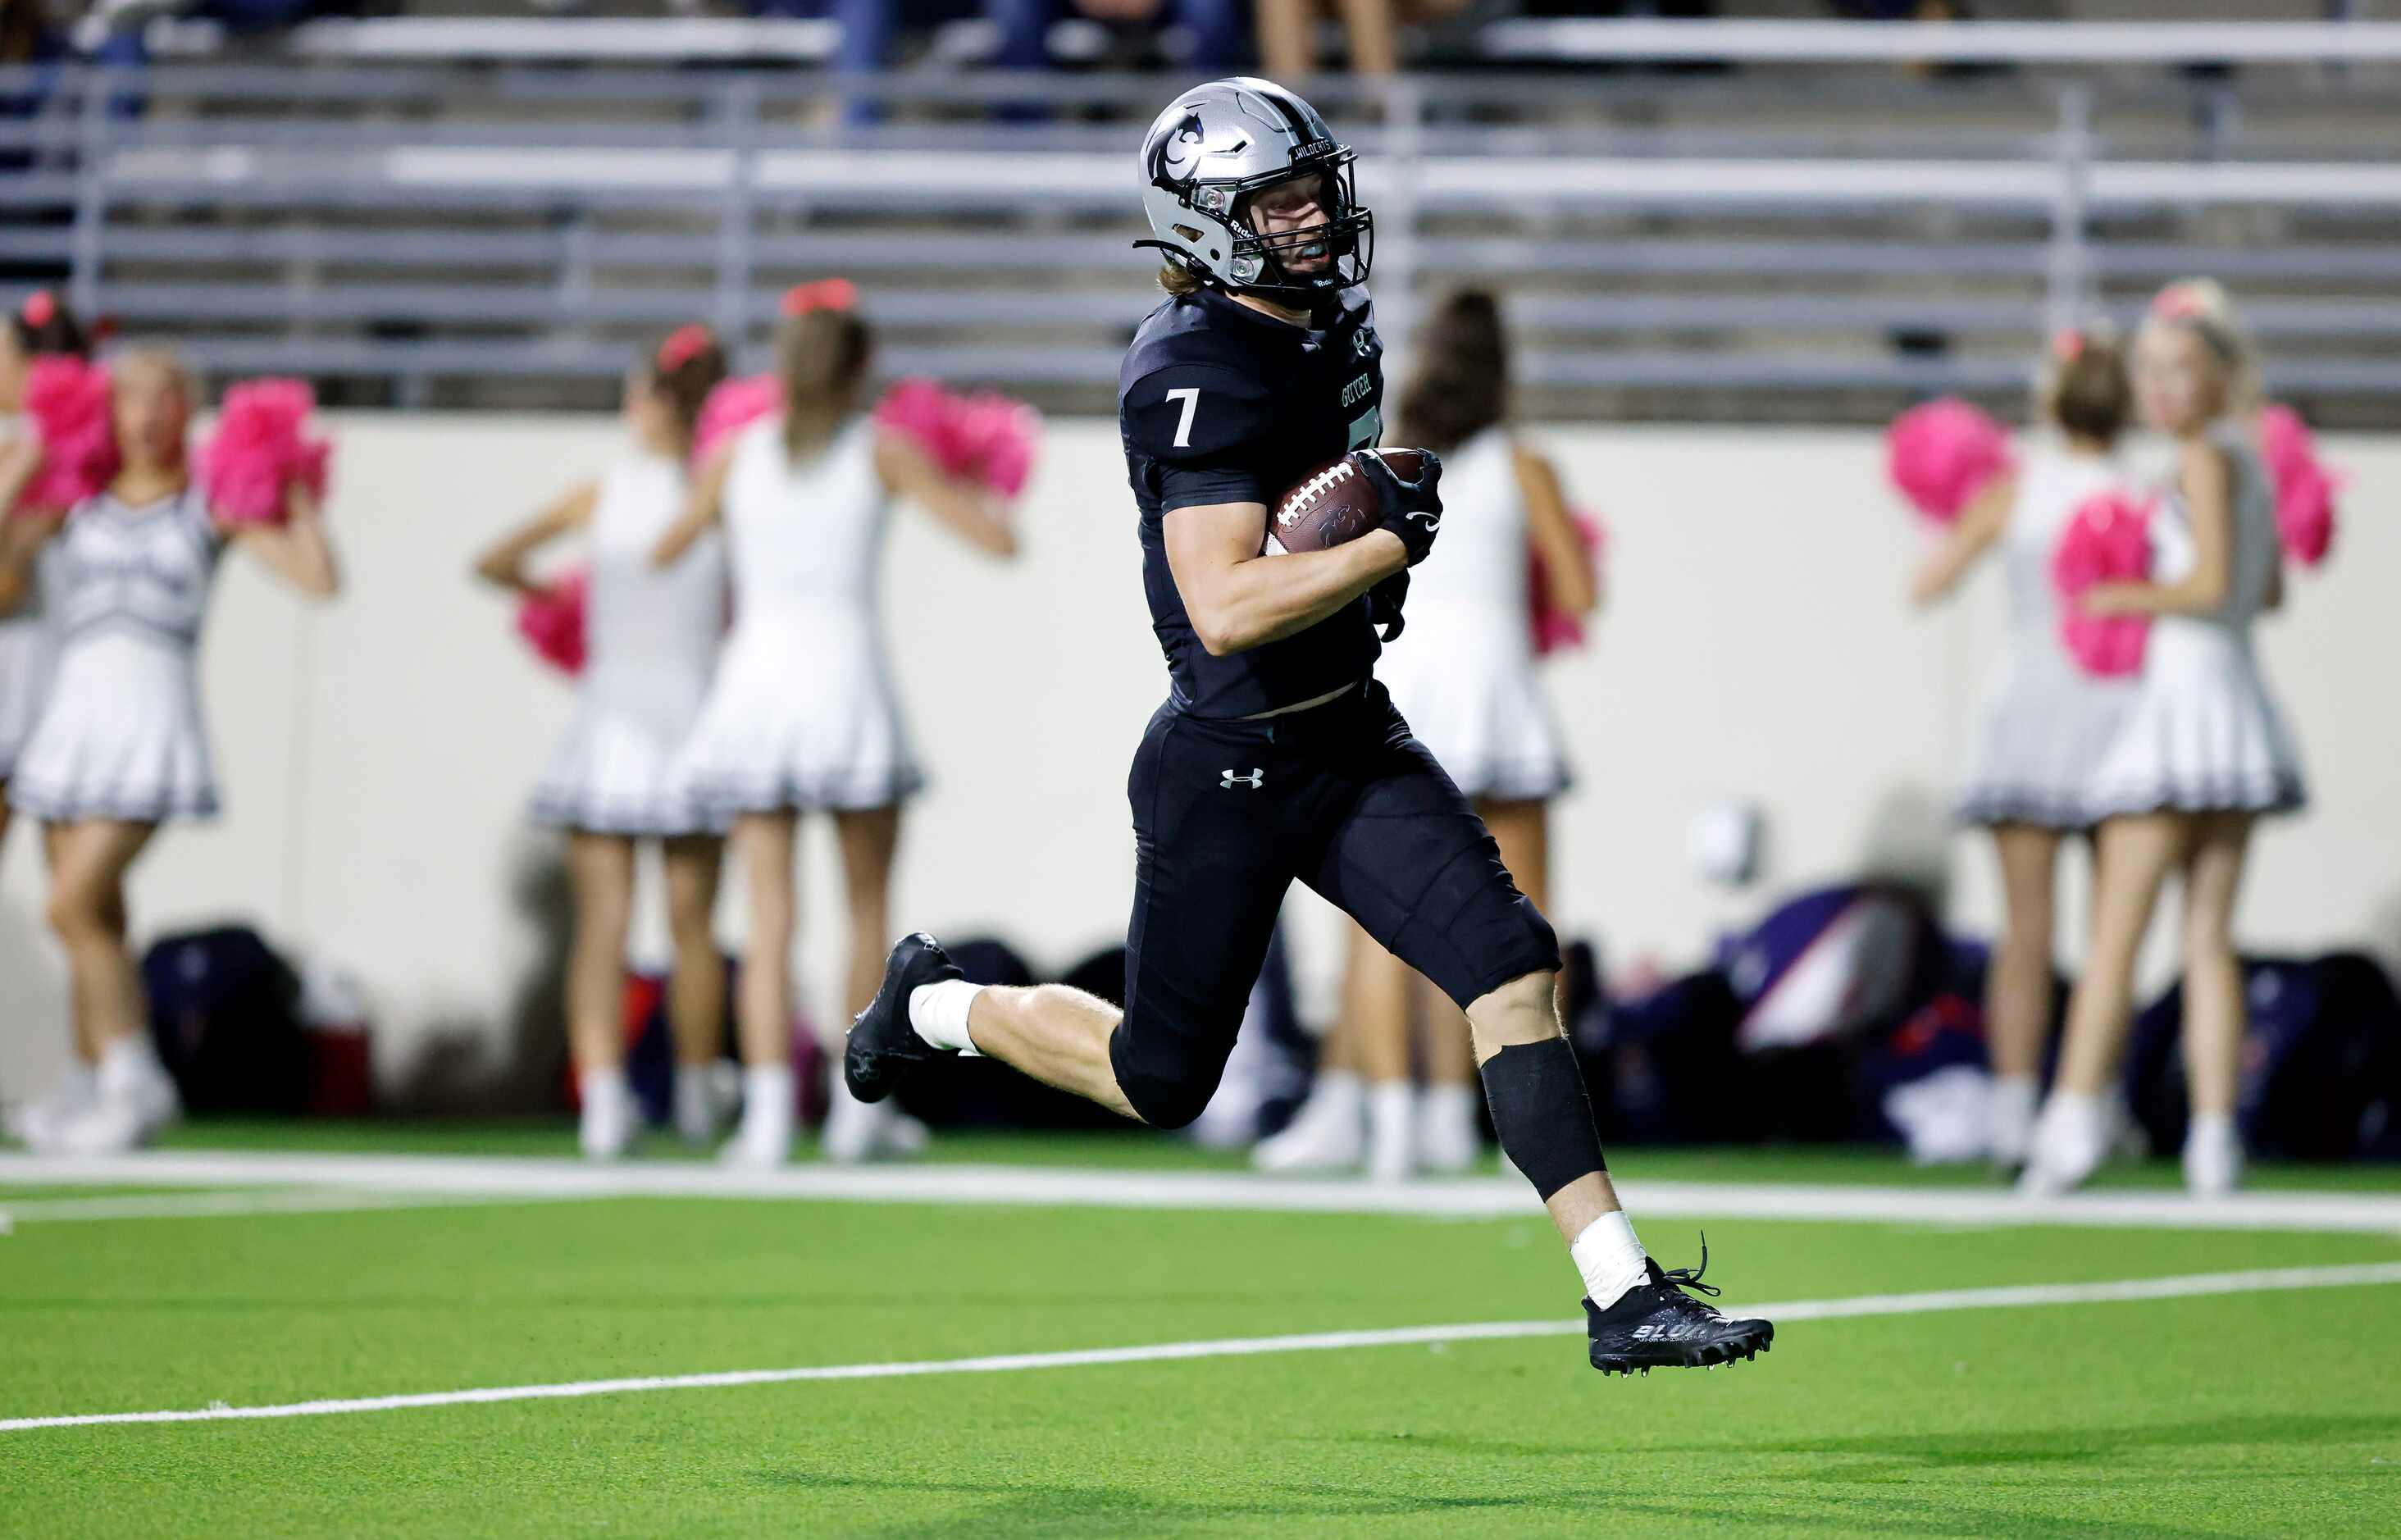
<point>378,756</point>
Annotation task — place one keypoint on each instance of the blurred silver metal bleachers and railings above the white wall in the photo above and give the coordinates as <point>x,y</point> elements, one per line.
<point>1754,244</point>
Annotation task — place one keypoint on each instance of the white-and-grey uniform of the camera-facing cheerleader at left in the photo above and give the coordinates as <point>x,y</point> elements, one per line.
<point>121,734</point>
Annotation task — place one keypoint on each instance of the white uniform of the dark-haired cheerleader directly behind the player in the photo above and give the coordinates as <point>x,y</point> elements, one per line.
<point>1463,664</point>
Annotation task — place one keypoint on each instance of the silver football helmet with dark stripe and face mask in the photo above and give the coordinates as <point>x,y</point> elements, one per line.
<point>1211,153</point>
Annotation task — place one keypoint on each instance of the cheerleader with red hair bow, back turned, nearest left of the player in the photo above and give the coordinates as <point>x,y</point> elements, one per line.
<point>803,712</point>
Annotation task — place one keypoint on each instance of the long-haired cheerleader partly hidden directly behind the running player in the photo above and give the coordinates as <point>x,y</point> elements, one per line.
<point>1463,676</point>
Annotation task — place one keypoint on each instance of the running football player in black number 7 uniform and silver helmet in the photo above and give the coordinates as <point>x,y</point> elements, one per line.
<point>1279,758</point>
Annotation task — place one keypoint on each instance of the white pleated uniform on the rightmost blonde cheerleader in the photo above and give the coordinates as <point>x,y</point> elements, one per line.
<point>2203,734</point>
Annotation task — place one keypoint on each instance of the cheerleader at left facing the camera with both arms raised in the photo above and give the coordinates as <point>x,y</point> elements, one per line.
<point>121,746</point>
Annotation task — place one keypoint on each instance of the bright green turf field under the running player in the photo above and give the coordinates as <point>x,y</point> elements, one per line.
<point>2246,1414</point>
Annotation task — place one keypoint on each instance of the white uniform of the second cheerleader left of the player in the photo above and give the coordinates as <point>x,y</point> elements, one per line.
<point>652,645</point>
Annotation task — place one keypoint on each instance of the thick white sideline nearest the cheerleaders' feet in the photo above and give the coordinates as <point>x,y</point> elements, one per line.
<point>1079,1188</point>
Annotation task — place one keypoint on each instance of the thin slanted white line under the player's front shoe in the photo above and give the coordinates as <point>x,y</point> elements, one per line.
<point>1252,1347</point>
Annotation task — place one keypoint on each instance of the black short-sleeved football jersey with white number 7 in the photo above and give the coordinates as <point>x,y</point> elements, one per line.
<point>1219,402</point>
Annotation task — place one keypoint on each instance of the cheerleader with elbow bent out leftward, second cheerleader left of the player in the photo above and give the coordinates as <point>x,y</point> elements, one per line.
<point>652,643</point>
